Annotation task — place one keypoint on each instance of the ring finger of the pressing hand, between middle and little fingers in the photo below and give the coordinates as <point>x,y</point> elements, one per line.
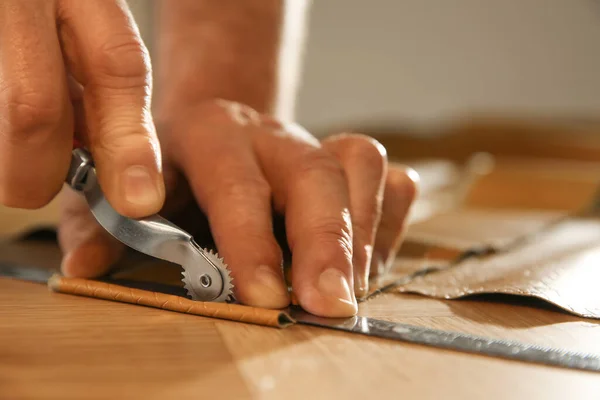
<point>365,163</point>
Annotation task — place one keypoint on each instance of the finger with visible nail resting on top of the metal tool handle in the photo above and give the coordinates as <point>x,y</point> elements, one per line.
<point>106,55</point>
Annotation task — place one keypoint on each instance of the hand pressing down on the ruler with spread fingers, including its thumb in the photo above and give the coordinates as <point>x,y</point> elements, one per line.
<point>344,208</point>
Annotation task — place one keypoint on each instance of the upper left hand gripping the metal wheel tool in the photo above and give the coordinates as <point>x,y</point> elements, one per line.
<point>72,66</point>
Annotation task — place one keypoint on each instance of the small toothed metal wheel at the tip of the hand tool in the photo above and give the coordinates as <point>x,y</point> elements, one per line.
<point>191,279</point>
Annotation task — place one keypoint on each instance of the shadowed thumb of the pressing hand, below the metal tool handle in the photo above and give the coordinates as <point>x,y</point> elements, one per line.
<point>88,250</point>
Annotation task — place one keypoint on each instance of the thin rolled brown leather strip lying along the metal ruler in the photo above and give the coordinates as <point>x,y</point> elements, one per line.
<point>107,291</point>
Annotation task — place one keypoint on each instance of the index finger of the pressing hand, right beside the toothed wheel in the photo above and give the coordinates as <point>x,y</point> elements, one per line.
<point>230,187</point>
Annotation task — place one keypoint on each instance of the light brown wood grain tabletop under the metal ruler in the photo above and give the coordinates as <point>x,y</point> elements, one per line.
<point>57,346</point>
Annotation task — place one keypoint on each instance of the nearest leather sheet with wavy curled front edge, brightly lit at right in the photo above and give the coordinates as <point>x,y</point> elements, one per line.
<point>559,266</point>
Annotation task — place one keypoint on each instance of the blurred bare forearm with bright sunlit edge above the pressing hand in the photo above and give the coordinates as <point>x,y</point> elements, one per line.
<point>229,49</point>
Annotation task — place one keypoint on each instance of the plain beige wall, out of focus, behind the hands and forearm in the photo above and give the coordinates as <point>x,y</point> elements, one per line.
<point>428,59</point>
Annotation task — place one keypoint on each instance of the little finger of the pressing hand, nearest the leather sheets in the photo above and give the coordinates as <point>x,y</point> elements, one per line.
<point>401,187</point>
